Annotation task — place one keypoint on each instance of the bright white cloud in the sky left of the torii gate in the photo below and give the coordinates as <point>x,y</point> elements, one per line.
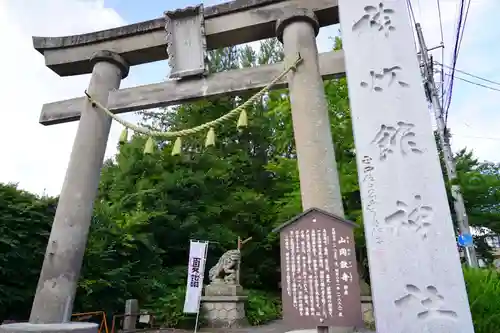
<point>34,155</point>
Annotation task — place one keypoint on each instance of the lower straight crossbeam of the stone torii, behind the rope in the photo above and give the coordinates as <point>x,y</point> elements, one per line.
<point>171,92</point>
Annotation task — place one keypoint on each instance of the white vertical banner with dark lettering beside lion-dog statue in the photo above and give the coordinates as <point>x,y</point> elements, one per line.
<point>196,271</point>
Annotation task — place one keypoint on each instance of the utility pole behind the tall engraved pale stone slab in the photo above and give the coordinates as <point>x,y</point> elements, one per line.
<point>458,200</point>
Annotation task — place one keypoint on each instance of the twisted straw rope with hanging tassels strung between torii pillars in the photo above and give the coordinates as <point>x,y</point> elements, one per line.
<point>210,138</point>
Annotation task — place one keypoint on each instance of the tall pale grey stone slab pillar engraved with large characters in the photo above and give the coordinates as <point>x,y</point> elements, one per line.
<point>416,277</point>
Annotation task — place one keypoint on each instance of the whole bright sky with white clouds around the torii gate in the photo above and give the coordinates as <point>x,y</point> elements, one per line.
<point>36,156</point>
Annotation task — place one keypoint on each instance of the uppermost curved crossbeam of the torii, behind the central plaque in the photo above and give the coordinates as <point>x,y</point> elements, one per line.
<point>227,24</point>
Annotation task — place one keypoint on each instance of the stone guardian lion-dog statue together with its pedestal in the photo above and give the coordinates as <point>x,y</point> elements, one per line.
<point>223,305</point>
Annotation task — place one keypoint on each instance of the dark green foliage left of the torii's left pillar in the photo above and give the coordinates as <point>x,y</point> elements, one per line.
<point>25,221</point>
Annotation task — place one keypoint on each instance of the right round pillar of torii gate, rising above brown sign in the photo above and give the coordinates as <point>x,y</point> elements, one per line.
<point>319,184</point>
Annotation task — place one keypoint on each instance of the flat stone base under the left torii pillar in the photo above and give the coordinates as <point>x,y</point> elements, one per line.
<point>49,328</point>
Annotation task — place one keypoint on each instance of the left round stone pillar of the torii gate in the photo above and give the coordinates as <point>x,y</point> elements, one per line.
<point>56,288</point>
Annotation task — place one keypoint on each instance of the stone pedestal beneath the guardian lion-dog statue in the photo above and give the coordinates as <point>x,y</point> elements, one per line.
<point>224,311</point>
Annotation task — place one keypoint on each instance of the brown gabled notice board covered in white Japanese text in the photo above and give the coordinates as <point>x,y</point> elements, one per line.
<point>319,277</point>
